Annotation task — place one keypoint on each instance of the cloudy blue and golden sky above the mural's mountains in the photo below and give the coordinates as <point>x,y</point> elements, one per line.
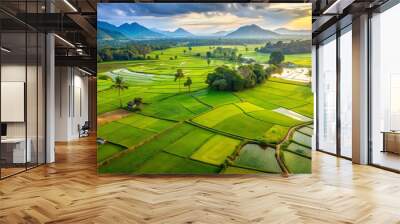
<point>206,18</point>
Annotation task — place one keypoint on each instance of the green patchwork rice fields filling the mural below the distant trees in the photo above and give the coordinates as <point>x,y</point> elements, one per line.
<point>201,131</point>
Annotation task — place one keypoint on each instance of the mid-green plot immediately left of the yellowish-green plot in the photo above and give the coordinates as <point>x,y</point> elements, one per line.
<point>189,143</point>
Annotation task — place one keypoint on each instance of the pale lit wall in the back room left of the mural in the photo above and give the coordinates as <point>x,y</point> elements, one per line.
<point>71,102</point>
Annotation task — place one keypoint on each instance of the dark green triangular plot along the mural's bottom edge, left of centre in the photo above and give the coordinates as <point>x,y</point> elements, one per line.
<point>165,163</point>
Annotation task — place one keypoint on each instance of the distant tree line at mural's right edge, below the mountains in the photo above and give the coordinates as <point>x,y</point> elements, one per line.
<point>292,47</point>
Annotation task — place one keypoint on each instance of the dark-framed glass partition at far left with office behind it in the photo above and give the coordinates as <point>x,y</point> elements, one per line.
<point>22,77</point>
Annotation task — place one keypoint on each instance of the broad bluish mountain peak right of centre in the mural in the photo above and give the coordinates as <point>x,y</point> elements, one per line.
<point>252,32</point>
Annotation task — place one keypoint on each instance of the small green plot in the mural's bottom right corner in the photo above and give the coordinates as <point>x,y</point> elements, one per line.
<point>296,163</point>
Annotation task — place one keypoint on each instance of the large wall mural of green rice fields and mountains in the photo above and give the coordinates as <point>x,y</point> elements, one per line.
<point>193,88</point>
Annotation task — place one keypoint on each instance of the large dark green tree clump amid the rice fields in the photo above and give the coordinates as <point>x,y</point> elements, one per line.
<point>245,76</point>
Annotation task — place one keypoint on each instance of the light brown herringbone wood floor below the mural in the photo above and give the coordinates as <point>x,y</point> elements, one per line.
<point>70,191</point>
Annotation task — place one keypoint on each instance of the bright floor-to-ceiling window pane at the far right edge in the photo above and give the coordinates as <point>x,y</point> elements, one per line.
<point>385,89</point>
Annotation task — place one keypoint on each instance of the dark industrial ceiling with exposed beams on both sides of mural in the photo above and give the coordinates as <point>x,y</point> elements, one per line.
<point>75,21</point>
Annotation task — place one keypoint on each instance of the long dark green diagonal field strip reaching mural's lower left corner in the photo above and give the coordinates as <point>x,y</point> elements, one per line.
<point>131,161</point>
